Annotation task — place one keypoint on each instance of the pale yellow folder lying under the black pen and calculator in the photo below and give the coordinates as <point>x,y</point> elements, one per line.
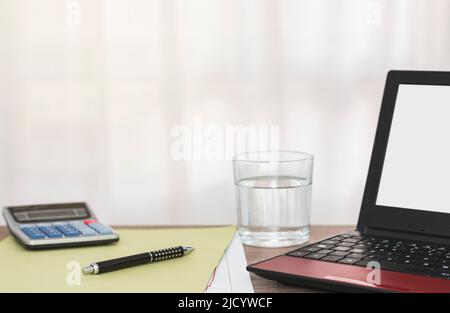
<point>60,270</point>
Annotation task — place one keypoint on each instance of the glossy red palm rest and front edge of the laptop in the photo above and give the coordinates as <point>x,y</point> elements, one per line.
<point>343,278</point>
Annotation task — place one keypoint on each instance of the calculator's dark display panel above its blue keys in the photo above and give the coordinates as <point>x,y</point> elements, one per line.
<point>49,213</point>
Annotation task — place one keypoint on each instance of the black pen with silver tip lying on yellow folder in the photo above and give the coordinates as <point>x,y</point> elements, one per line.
<point>137,259</point>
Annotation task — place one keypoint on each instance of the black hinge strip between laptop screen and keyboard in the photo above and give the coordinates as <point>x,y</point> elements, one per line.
<point>405,235</point>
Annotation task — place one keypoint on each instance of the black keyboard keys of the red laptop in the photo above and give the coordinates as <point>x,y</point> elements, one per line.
<point>393,255</point>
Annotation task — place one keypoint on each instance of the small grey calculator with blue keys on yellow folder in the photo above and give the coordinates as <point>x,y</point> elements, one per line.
<point>57,225</point>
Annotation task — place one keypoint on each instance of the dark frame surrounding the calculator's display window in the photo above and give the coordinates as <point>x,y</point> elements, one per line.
<point>25,208</point>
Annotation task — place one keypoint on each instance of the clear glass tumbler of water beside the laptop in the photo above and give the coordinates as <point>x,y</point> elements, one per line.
<point>273,193</point>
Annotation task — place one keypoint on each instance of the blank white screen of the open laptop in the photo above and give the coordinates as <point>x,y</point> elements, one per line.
<point>416,170</point>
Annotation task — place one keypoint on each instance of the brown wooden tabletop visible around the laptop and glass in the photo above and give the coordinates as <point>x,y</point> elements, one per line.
<point>256,254</point>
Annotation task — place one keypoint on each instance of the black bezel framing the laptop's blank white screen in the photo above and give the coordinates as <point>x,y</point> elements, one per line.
<point>394,218</point>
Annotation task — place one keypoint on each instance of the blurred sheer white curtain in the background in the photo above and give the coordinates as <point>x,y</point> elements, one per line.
<point>91,90</point>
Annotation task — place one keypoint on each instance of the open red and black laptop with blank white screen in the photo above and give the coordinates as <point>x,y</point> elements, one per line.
<point>402,240</point>
